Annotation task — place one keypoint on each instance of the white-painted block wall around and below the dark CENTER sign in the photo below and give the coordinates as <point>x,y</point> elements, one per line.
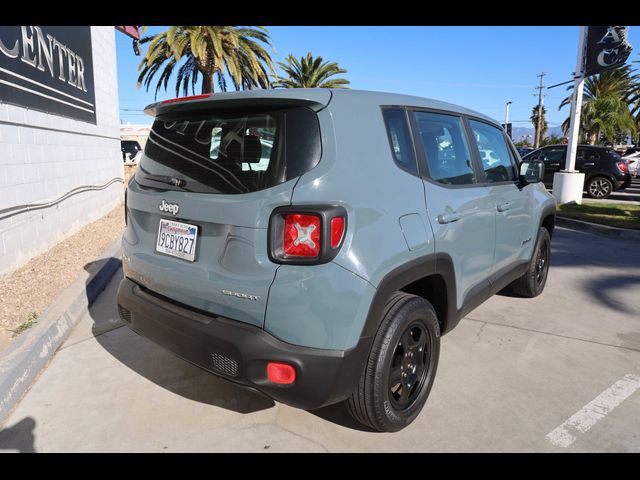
<point>43,156</point>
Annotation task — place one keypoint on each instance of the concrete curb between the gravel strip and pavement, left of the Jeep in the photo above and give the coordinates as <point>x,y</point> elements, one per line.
<point>28,355</point>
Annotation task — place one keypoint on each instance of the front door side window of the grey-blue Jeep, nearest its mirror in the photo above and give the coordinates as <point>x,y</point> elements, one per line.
<point>496,157</point>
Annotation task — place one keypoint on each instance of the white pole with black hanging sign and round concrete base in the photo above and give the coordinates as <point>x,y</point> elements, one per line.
<point>599,49</point>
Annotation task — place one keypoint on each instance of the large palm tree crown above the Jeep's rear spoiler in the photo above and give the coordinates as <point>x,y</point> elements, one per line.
<point>209,51</point>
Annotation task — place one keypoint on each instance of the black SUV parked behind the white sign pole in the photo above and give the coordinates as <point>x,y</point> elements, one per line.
<point>604,169</point>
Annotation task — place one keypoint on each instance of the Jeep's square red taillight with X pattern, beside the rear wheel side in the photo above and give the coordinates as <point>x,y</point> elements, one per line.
<point>306,235</point>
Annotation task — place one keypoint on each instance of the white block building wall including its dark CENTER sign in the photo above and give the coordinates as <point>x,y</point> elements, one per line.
<point>60,160</point>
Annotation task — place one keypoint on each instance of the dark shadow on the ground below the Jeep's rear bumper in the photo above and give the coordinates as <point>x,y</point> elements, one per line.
<point>160,366</point>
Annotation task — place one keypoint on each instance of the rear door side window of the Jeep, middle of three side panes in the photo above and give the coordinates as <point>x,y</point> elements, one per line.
<point>443,139</point>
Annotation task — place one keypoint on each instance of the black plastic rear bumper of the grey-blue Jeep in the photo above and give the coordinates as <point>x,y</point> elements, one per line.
<point>239,352</point>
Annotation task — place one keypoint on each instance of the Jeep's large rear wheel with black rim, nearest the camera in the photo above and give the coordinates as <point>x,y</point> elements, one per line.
<point>407,344</point>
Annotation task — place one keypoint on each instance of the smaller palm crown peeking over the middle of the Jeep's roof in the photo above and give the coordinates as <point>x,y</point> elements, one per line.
<point>310,72</point>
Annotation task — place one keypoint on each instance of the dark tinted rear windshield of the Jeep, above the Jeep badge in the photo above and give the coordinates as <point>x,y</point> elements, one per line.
<point>230,153</point>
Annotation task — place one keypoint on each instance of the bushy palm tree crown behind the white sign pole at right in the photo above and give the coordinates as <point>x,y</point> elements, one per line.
<point>605,109</point>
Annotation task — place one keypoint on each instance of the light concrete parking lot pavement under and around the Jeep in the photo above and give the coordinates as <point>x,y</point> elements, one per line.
<point>557,373</point>
